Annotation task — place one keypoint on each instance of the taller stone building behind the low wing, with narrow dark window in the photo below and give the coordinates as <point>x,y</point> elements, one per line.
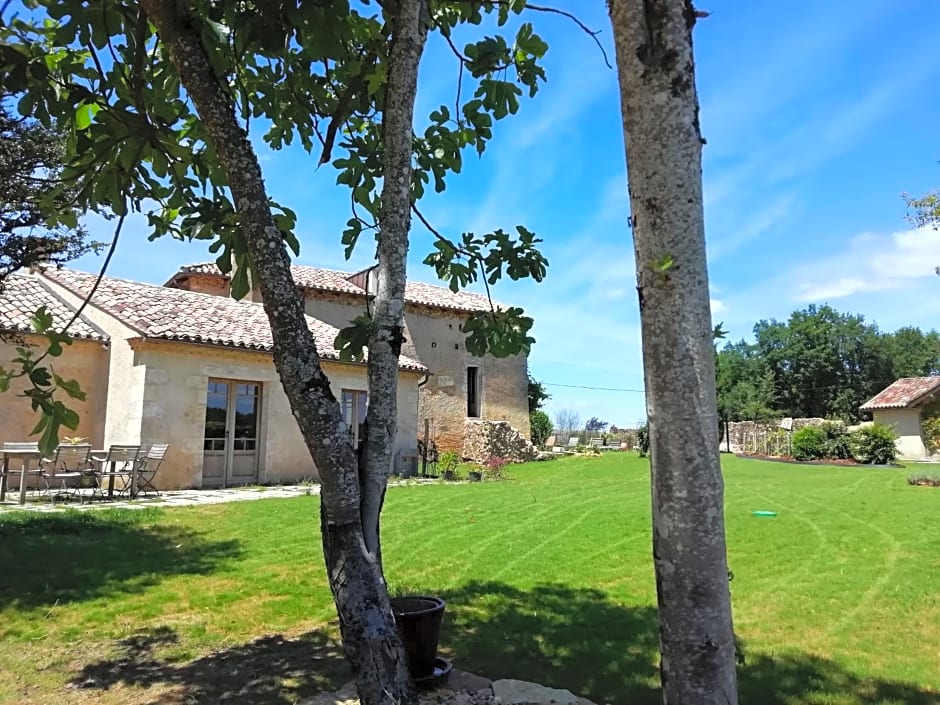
<point>460,389</point>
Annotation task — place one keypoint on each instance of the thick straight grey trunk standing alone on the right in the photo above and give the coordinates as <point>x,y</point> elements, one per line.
<point>653,40</point>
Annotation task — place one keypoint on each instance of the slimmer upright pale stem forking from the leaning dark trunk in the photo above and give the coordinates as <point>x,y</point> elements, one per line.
<point>409,34</point>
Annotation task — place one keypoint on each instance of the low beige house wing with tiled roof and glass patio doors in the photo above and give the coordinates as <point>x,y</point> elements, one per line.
<point>164,365</point>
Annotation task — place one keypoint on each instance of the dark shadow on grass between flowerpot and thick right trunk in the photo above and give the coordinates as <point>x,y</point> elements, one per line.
<point>555,635</point>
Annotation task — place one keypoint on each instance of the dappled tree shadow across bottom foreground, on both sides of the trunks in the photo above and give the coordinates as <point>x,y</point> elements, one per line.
<point>556,635</point>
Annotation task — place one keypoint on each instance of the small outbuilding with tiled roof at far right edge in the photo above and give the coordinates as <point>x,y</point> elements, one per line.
<point>903,405</point>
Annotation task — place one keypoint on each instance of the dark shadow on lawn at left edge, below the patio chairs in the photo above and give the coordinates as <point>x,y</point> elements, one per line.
<point>74,556</point>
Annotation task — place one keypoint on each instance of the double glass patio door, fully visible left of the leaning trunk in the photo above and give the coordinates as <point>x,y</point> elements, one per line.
<point>230,441</point>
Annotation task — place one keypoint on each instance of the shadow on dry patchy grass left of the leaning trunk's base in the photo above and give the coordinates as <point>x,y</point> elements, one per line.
<point>273,670</point>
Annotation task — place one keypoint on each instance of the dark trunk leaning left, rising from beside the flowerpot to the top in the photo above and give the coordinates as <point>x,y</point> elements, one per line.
<point>366,620</point>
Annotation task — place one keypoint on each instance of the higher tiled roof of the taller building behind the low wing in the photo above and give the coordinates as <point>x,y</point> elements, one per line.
<point>333,280</point>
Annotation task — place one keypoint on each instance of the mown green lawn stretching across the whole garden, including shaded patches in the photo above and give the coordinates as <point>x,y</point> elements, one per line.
<point>548,577</point>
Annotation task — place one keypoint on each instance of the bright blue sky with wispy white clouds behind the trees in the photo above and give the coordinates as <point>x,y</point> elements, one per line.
<point>817,116</point>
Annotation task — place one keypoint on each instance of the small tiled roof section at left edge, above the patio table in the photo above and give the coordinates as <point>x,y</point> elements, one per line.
<point>22,295</point>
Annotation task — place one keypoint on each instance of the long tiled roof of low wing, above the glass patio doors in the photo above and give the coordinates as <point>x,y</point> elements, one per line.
<point>176,314</point>
